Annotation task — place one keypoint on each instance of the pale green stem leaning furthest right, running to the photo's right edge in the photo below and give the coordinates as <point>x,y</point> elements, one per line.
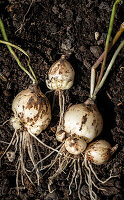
<point>107,70</point>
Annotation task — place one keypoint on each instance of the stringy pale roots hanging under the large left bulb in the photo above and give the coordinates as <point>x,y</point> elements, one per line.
<point>23,142</point>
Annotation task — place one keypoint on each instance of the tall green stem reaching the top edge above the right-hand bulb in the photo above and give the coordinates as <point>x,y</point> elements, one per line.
<point>108,39</point>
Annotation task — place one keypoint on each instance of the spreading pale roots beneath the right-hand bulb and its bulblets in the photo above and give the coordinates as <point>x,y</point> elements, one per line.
<point>78,168</point>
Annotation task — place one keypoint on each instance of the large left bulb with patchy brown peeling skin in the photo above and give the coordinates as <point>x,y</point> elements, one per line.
<point>33,110</point>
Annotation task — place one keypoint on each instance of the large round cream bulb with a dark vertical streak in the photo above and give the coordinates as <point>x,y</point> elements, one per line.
<point>83,120</point>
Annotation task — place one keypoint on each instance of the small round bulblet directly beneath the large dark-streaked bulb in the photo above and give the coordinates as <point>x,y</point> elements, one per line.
<point>75,145</point>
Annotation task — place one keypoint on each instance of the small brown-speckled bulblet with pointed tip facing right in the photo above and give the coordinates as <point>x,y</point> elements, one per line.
<point>99,152</point>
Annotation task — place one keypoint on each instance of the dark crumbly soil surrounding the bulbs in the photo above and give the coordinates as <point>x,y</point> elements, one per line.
<point>48,30</point>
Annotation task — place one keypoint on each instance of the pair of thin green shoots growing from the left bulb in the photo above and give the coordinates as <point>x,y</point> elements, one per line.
<point>9,45</point>
